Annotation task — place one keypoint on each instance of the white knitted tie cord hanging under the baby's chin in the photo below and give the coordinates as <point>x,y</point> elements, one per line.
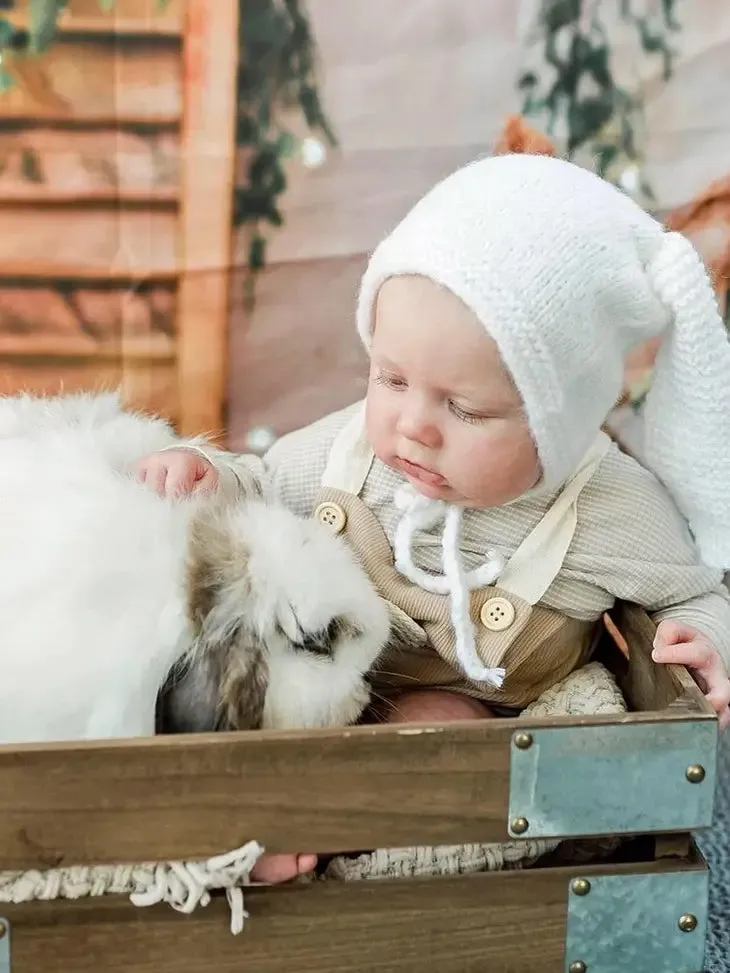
<point>420,513</point>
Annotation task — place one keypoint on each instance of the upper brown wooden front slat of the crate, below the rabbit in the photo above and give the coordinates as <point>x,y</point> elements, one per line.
<point>323,791</point>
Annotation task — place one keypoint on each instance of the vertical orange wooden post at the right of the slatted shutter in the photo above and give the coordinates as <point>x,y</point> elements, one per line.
<point>205,236</point>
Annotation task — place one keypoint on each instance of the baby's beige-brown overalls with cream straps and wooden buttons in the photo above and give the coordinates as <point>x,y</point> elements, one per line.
<point>537,646</point>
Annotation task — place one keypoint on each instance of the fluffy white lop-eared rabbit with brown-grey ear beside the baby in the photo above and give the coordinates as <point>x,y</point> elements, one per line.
<point>247,615</point>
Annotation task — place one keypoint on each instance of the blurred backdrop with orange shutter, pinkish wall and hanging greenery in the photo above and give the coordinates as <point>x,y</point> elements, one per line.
<point>151,155</point>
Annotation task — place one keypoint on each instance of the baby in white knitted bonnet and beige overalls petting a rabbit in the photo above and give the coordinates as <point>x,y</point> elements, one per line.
<point>475,482</point>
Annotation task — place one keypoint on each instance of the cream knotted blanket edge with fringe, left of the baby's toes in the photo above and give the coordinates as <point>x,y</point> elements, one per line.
<point>183,885</point>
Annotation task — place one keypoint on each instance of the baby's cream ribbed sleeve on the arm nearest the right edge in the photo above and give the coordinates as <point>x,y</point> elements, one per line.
<point>633,543</point>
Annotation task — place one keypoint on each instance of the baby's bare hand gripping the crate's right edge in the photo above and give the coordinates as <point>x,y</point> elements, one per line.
<point>686,646</point>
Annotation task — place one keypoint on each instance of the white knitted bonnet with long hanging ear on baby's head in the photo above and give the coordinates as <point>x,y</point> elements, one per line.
<point>568,274</point>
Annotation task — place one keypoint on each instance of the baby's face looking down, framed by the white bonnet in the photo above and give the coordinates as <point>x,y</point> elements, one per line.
<point>441,407</point>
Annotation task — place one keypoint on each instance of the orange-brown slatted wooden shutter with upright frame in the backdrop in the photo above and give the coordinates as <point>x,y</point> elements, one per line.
<point>117,150</point>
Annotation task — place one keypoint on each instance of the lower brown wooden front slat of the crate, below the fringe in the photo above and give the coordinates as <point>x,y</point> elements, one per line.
<point>511,922</point>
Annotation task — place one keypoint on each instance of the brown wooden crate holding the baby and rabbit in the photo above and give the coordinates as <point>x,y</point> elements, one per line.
<point>336,791</point>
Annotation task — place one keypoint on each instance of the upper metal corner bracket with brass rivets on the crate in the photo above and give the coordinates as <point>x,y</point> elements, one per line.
<point>612,778</point>
